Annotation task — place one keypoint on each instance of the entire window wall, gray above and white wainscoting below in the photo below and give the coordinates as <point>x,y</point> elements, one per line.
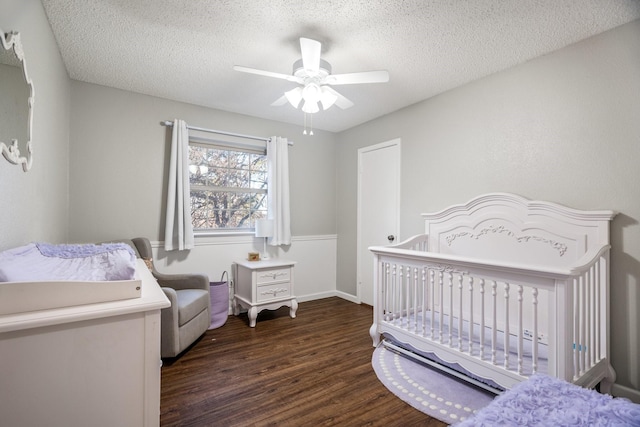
<point>118,167</point>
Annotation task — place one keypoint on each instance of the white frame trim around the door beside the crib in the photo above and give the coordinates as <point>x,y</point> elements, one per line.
<point>361,152</point>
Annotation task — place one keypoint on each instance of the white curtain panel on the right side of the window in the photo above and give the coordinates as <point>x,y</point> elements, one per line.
<point>278,195</point>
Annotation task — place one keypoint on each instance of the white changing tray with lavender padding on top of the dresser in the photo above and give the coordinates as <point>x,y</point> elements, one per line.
<point>41,276</point>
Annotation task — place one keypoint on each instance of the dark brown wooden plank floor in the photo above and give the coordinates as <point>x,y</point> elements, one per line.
<point>313,370</point>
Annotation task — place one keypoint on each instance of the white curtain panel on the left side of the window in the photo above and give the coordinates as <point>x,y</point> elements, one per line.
<point>178,233</point>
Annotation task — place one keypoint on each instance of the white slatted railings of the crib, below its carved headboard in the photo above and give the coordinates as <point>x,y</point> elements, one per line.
<point>504,322</point>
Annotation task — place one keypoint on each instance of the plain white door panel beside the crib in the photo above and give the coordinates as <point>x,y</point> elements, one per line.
<point>378,207</point>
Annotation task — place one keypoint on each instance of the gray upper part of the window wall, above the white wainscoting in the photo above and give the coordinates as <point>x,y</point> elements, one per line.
<point>119,155</point>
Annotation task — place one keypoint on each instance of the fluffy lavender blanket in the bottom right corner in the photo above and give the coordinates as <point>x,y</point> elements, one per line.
<point>546,401</point>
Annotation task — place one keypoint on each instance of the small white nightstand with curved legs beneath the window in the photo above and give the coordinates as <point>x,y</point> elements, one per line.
<point>261,285</point>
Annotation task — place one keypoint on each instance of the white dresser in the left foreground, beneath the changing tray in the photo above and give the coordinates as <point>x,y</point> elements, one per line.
<point>86,365</point>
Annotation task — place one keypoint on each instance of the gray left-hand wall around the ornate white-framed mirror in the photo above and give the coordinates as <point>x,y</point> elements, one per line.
<point>34,204</point>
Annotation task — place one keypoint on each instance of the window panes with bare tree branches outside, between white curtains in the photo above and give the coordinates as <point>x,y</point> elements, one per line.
<point>228,187</point>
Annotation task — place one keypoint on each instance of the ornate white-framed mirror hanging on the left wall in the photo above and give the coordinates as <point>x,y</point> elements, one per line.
<point>12,55</point>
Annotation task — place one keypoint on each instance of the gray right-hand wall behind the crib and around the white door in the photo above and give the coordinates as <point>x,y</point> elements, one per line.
<point>564,127</point>
